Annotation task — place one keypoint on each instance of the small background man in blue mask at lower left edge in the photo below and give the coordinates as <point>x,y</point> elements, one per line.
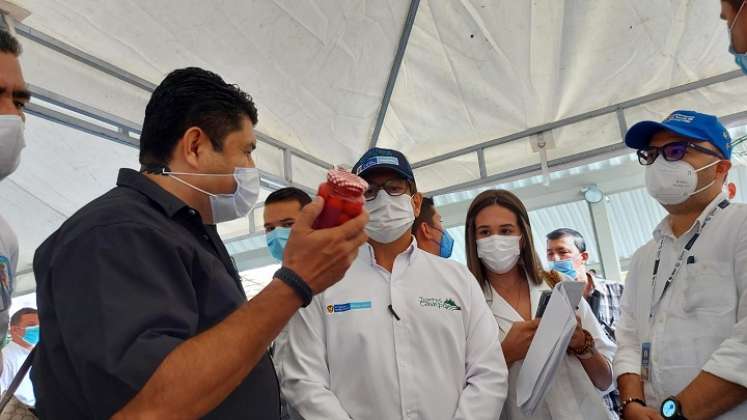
<point>24,333</point>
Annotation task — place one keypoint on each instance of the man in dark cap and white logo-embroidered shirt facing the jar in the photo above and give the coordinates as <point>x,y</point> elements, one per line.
<point>405,334</point>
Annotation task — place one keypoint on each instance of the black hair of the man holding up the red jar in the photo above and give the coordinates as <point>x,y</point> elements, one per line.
<point>191,97</point>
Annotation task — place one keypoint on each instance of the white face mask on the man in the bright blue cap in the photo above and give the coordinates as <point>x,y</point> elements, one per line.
<point>673,183</point>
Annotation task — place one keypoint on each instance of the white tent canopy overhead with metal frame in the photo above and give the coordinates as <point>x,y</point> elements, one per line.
<point>469,90</point>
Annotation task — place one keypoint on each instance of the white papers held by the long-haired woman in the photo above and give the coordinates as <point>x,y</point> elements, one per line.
<point>548,346</point>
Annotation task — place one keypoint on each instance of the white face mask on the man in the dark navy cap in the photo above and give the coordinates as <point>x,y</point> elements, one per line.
<point>389,217</point>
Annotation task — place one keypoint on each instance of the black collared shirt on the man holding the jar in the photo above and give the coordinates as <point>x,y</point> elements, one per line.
<point>123,282</point>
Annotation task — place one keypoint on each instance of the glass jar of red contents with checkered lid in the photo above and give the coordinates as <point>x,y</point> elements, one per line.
<point>343,198</point>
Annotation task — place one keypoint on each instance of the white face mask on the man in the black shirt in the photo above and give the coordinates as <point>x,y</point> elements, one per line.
<point>227,207</point>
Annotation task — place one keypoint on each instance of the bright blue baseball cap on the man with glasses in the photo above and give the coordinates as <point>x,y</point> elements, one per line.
<point>690,124</point>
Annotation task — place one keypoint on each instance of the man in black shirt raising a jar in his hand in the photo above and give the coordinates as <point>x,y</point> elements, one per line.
<point>142,311</point>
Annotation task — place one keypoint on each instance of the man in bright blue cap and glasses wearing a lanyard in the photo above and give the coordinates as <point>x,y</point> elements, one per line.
<point>682,337</point>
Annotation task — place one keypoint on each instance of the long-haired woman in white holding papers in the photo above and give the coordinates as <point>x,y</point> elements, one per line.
<point>501,255</point>
